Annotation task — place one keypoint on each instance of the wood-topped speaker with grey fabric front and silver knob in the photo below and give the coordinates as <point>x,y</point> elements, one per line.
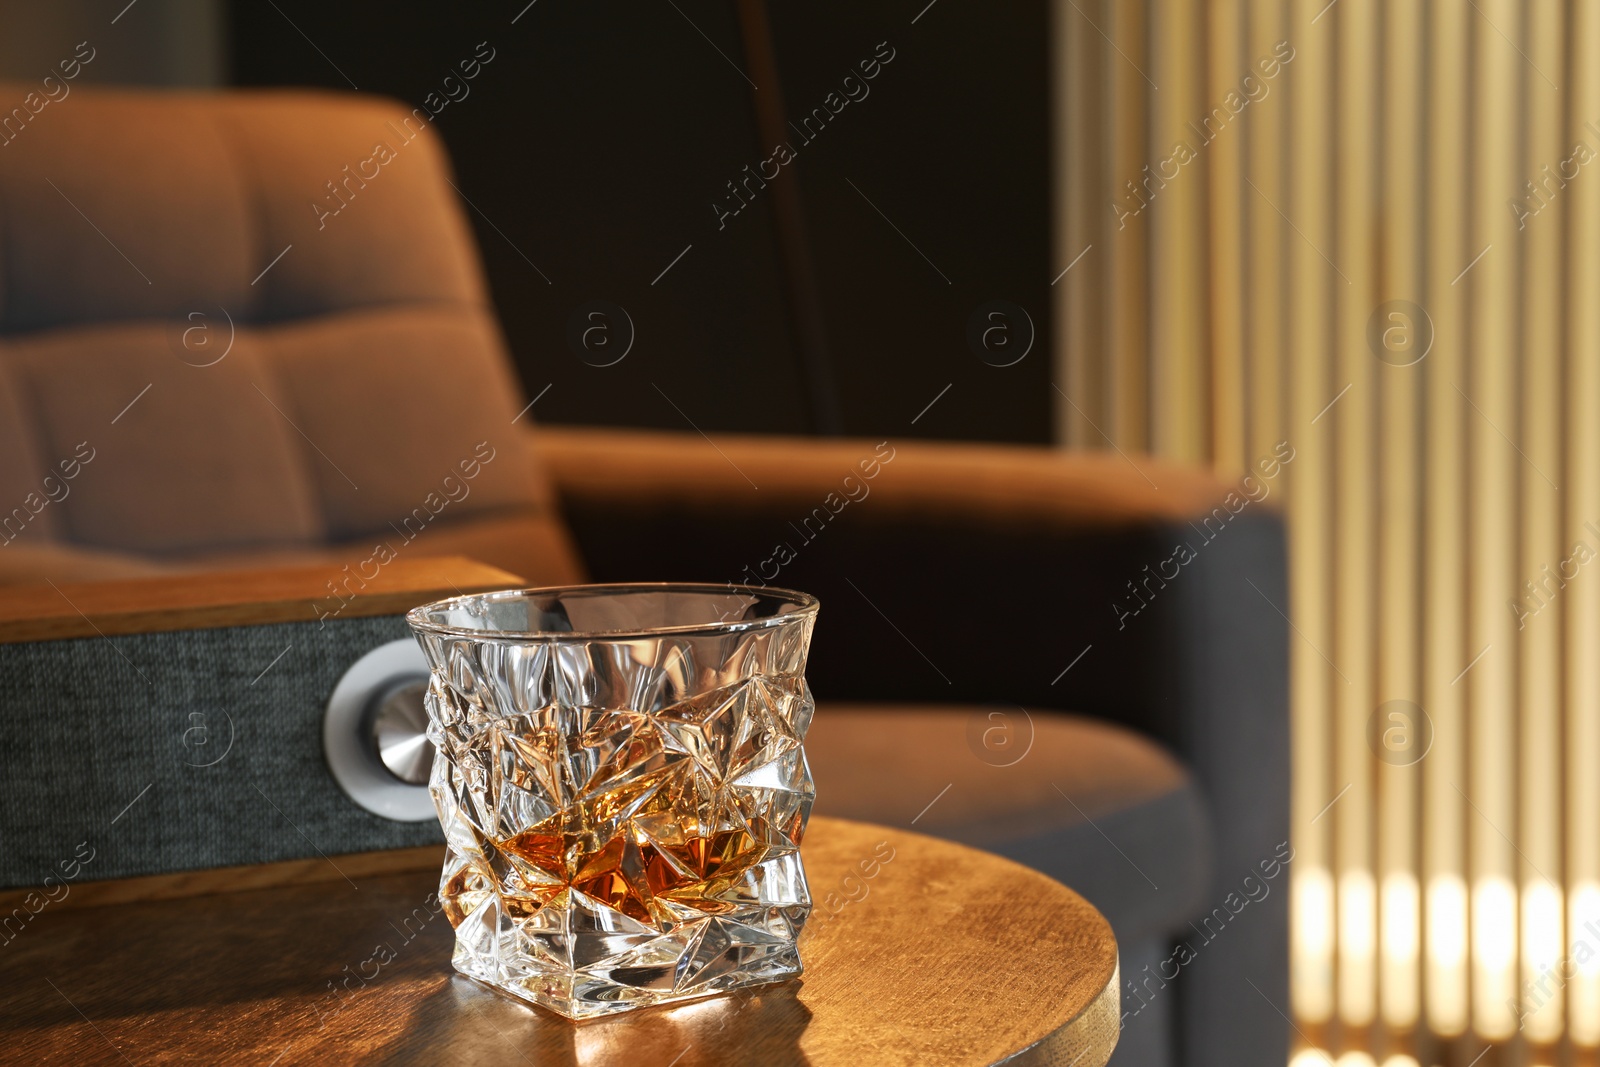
<point>215,721</point>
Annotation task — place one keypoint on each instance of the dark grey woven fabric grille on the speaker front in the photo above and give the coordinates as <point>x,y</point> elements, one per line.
<point>124,743</point>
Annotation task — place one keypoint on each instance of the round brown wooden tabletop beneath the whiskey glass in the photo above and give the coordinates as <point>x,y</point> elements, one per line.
<point>919,953</point>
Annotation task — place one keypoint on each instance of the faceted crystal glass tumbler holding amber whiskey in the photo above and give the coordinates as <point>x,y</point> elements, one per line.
<point>623,788</point>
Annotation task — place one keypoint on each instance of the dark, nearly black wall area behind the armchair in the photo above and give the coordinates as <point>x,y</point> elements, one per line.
<point>596,143</point>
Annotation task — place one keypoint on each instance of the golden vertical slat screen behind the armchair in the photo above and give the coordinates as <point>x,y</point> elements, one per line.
<point>1425,170</point>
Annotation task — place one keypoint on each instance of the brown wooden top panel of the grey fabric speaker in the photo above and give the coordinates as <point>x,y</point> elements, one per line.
<point>194,602</point>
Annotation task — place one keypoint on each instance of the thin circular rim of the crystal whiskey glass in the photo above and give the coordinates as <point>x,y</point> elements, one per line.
<point>806,609</point>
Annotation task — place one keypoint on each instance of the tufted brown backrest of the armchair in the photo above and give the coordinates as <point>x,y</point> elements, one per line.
<point>362,370</point>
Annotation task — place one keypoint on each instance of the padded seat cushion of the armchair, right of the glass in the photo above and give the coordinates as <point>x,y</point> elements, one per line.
<point>1089,804</point>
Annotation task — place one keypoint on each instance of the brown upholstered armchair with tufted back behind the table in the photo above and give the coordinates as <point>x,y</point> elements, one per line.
<point>233,334</point>
